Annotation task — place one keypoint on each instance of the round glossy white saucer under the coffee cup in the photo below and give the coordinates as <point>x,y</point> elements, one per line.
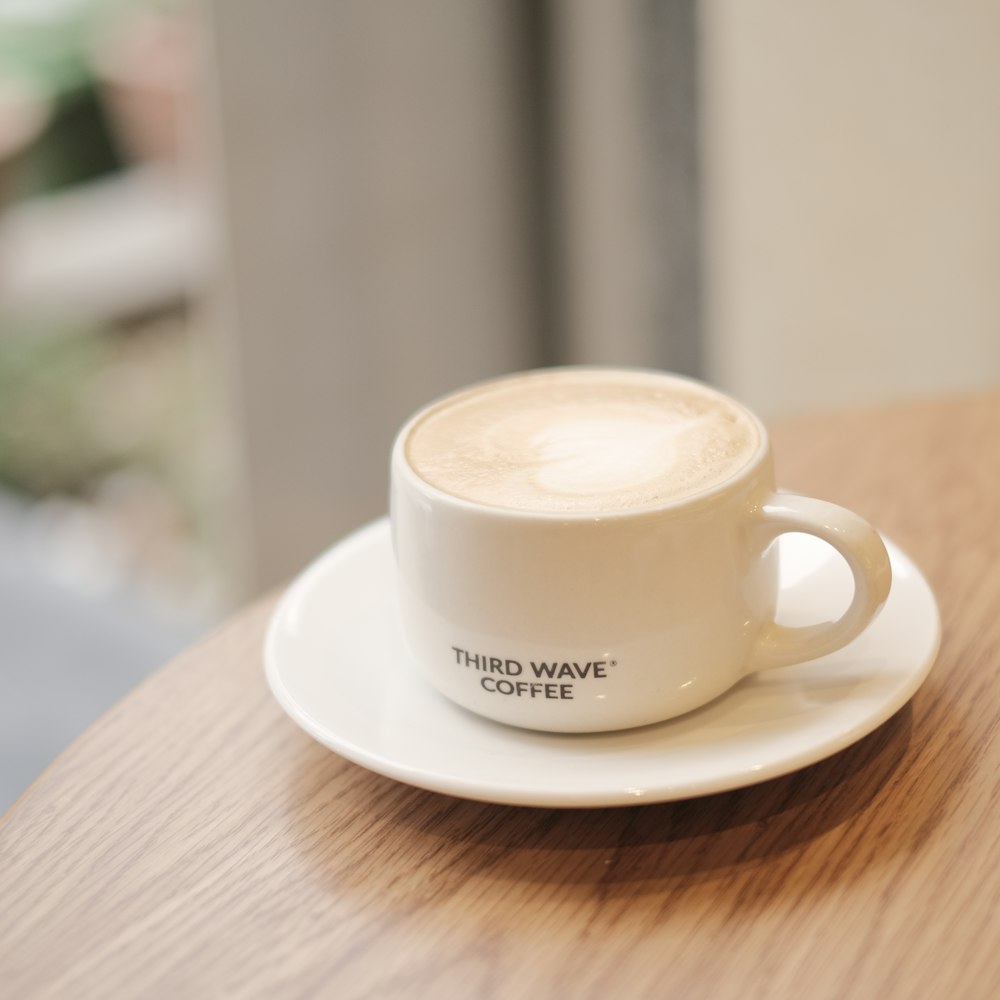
<point>335,662</point>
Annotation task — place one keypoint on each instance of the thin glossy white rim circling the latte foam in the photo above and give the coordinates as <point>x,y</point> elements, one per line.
<point>400,463</point>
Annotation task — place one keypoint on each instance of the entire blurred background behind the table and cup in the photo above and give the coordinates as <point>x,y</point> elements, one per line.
<point>240,241</point>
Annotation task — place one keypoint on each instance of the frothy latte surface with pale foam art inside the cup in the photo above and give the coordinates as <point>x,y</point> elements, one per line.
<point>582,441</point>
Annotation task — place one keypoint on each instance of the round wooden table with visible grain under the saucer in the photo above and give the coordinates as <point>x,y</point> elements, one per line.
<point>195,843</point>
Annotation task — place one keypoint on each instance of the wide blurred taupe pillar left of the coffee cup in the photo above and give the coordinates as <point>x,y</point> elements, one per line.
<point>372,187</point>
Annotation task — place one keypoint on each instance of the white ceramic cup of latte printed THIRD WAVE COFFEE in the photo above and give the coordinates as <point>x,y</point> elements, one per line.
<point>622,573</point>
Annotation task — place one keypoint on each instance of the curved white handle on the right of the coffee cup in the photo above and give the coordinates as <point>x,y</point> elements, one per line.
<point>864,551</point>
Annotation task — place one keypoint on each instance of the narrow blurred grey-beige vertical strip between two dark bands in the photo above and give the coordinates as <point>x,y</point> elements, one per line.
<point>628,205</point>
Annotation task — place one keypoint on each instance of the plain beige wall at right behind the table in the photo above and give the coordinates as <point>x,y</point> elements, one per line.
<point>852,158</point>
